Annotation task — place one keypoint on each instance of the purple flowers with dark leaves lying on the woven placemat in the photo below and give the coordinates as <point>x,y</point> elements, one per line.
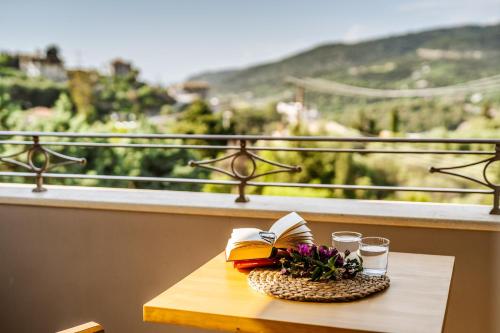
<point>320,263</point>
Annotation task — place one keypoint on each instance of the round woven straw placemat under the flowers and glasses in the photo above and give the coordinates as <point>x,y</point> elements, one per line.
<point>273,283</point>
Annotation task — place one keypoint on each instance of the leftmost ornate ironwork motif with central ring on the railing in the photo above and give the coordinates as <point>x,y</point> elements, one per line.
<point>46,165</point>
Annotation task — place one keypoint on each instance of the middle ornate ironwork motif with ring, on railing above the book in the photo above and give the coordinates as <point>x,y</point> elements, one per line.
<point>243,179</point>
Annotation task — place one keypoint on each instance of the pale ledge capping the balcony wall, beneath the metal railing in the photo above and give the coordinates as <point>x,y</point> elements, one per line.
<point>404,214</point>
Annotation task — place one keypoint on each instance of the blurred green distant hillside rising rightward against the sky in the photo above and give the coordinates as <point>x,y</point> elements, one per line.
<point>431,58</point>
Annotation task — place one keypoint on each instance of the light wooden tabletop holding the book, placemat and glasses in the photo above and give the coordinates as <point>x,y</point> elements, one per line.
<point>216,296</point>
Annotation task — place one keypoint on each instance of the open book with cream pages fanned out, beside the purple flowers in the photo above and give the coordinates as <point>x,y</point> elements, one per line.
<point>253,243</point>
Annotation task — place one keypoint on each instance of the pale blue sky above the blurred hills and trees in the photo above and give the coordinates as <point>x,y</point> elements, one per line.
<point>171,40</point>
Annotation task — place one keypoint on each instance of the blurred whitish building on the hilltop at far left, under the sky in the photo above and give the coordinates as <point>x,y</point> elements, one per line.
<point>48,66</point>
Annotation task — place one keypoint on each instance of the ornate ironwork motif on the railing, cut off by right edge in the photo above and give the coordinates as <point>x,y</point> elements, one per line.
<point>485,181</point>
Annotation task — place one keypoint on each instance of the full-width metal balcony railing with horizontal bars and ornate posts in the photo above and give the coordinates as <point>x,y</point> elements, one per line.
<point>245,148</point>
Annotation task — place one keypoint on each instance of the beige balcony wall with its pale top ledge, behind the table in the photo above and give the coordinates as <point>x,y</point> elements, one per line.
<point>72,255</point>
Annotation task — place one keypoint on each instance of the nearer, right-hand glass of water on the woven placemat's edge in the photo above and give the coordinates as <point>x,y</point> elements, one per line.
<point>375,253</point>
